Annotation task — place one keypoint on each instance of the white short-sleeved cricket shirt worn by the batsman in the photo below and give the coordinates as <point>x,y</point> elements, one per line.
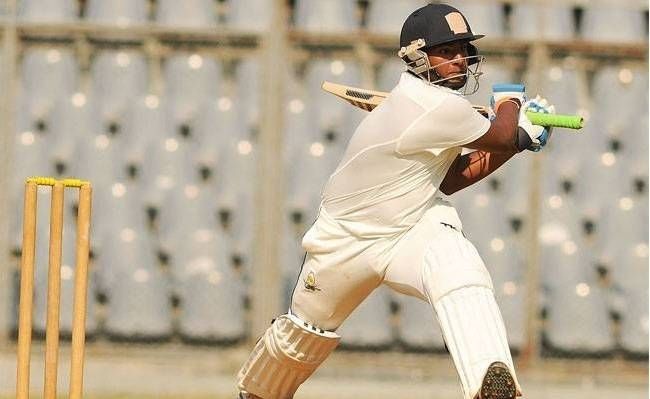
<point>393,165</point>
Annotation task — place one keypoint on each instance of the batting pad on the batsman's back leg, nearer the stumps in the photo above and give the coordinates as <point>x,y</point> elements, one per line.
<point>286,355</point>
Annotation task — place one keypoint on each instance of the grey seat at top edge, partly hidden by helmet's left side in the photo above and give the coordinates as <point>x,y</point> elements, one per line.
<point>388,16</point>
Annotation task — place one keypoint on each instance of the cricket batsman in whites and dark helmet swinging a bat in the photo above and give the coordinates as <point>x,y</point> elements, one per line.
<point>382,218</point>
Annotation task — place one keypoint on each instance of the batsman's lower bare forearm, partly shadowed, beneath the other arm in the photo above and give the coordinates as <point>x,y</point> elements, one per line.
<point>471,168</point>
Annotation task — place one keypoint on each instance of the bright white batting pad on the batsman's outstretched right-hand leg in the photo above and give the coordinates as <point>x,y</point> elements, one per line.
<point>474,333</point>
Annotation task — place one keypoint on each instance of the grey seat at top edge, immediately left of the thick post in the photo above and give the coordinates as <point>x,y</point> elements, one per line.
<point>250,15</point>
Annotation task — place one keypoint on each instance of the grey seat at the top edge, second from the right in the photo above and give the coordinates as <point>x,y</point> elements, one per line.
<point>537,20</point>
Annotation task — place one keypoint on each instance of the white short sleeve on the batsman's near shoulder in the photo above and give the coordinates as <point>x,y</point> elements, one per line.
<point>452,123</point>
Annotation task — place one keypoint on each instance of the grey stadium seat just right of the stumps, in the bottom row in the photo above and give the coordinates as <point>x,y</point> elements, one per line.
<point>138,293</point>
